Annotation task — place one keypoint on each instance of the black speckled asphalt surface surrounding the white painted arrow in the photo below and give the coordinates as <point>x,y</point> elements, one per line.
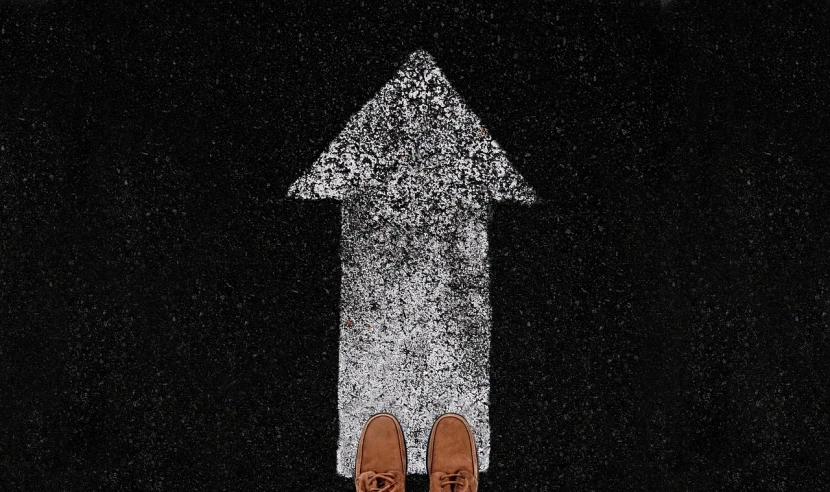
<point>168,320</point>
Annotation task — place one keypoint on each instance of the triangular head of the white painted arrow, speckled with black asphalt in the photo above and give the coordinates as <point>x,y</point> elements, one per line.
<point>415,139</point>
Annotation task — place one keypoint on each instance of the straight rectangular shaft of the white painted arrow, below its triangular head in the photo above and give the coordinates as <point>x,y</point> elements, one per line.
<point>415,321</point>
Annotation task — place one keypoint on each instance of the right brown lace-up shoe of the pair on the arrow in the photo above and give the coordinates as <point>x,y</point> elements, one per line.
<point>452,460</point>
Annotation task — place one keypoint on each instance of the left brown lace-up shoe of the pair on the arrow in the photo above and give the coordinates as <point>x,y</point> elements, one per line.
<point>381,456</point>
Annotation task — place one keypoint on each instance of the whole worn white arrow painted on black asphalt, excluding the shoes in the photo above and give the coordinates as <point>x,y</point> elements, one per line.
<point>416,173</point>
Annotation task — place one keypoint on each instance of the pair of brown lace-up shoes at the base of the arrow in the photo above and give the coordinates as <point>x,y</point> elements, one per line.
<point>452,461</point>
